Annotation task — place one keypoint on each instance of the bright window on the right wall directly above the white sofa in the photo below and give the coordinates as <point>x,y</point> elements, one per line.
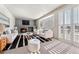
<point>47,22</point>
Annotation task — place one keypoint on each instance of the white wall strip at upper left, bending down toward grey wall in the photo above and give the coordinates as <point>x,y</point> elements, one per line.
<point>7,13</point>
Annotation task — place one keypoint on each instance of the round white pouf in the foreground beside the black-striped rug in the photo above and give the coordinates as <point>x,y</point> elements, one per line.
<point>34,45</point>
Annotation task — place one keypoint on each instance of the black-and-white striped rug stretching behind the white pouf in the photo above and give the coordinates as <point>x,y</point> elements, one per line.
<point>22,40</point>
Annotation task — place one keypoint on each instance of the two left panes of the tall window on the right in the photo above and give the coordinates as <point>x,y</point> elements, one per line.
<point>64,18</point>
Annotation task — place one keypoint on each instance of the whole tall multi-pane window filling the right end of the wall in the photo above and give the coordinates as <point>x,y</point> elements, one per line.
<point>69,24</point>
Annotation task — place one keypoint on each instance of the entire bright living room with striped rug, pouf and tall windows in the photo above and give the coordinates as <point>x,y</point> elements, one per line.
<point>39,28</point>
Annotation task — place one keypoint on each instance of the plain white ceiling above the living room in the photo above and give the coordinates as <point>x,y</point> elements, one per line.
<point>32,11</point>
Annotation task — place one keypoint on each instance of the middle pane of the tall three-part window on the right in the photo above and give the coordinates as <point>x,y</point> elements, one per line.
<point>67,24</point>
